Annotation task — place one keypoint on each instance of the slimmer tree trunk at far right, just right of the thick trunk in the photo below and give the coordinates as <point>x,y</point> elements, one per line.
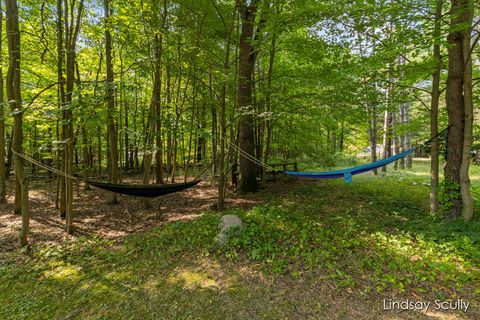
<point>469,115</point>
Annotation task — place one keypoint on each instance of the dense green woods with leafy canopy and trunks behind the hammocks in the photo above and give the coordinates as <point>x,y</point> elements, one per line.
<point>156,88</point>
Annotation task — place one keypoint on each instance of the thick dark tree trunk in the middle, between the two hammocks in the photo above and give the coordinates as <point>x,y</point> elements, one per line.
<point>248,180</point>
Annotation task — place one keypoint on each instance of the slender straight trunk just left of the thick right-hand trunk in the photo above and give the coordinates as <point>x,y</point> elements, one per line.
<point>435,98</point>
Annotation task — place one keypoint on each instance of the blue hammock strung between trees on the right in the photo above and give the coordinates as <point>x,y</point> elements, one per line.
<point>349,172</point>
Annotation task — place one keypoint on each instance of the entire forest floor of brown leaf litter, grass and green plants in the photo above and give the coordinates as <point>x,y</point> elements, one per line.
<point>309,250</point>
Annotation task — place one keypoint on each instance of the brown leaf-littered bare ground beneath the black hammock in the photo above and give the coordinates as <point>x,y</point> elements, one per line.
<point>93,215</point>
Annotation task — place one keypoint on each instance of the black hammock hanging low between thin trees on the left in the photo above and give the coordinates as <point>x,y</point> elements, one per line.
<point>147,191</point>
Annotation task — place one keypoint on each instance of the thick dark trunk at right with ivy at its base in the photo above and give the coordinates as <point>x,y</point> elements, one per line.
<point>455,109</point>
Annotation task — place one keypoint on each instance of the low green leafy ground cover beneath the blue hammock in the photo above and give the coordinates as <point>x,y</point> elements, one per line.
<point>373,237</point>
